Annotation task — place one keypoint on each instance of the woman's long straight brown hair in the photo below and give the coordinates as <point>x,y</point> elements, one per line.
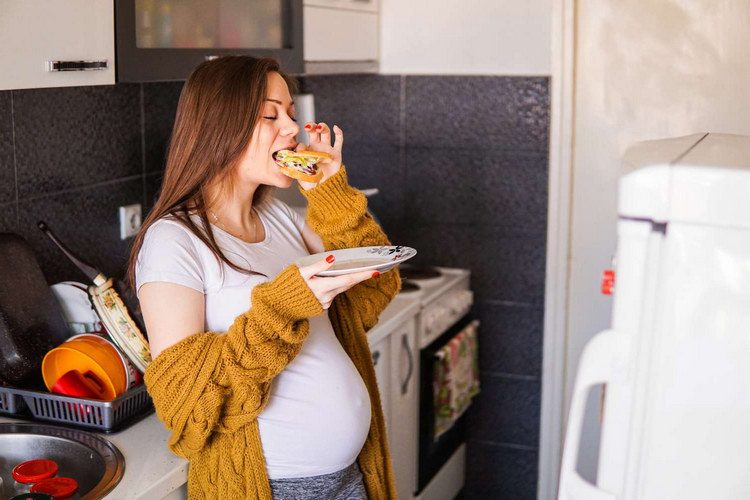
<point>219,107</point>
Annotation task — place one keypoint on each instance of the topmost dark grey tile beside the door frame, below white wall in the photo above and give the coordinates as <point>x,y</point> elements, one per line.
<point>489,112</point>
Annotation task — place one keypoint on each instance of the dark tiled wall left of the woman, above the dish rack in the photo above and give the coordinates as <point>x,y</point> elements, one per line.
<point>71,157</point>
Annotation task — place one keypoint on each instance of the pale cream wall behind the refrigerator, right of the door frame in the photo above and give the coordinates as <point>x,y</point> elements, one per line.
<point>643,70</point>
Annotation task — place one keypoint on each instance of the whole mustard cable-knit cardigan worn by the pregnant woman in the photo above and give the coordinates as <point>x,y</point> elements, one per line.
<point>209,388</point>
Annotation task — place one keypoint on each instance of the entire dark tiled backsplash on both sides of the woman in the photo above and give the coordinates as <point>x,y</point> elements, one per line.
<point>461,164</point>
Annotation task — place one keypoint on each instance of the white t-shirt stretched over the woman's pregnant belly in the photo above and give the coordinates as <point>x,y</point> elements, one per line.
<point>318,414</point>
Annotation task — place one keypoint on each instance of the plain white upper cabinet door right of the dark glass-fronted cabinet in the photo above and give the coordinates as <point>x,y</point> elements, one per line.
<point>340,35</point>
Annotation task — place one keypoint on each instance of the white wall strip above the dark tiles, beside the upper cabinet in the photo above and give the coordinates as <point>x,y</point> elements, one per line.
<point>469,37</point>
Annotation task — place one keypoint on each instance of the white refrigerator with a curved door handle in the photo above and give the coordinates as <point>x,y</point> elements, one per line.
<point>676,361</point>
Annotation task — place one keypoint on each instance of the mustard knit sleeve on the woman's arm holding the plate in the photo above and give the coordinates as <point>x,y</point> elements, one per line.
<point>212,382</point>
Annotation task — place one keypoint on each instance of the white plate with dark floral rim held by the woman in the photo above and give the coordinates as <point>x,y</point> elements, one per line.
<point>352,260</point>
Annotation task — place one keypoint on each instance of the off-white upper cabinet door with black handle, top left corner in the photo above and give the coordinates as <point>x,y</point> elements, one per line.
<point>34,32</point>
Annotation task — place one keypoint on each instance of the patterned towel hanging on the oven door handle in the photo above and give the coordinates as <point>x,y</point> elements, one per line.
<point>455,378</point>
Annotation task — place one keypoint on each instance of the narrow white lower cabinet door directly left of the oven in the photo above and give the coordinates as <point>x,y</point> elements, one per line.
<point>404,408</point>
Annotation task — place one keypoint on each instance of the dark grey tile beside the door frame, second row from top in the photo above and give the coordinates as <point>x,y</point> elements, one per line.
<point>472,186</point>
